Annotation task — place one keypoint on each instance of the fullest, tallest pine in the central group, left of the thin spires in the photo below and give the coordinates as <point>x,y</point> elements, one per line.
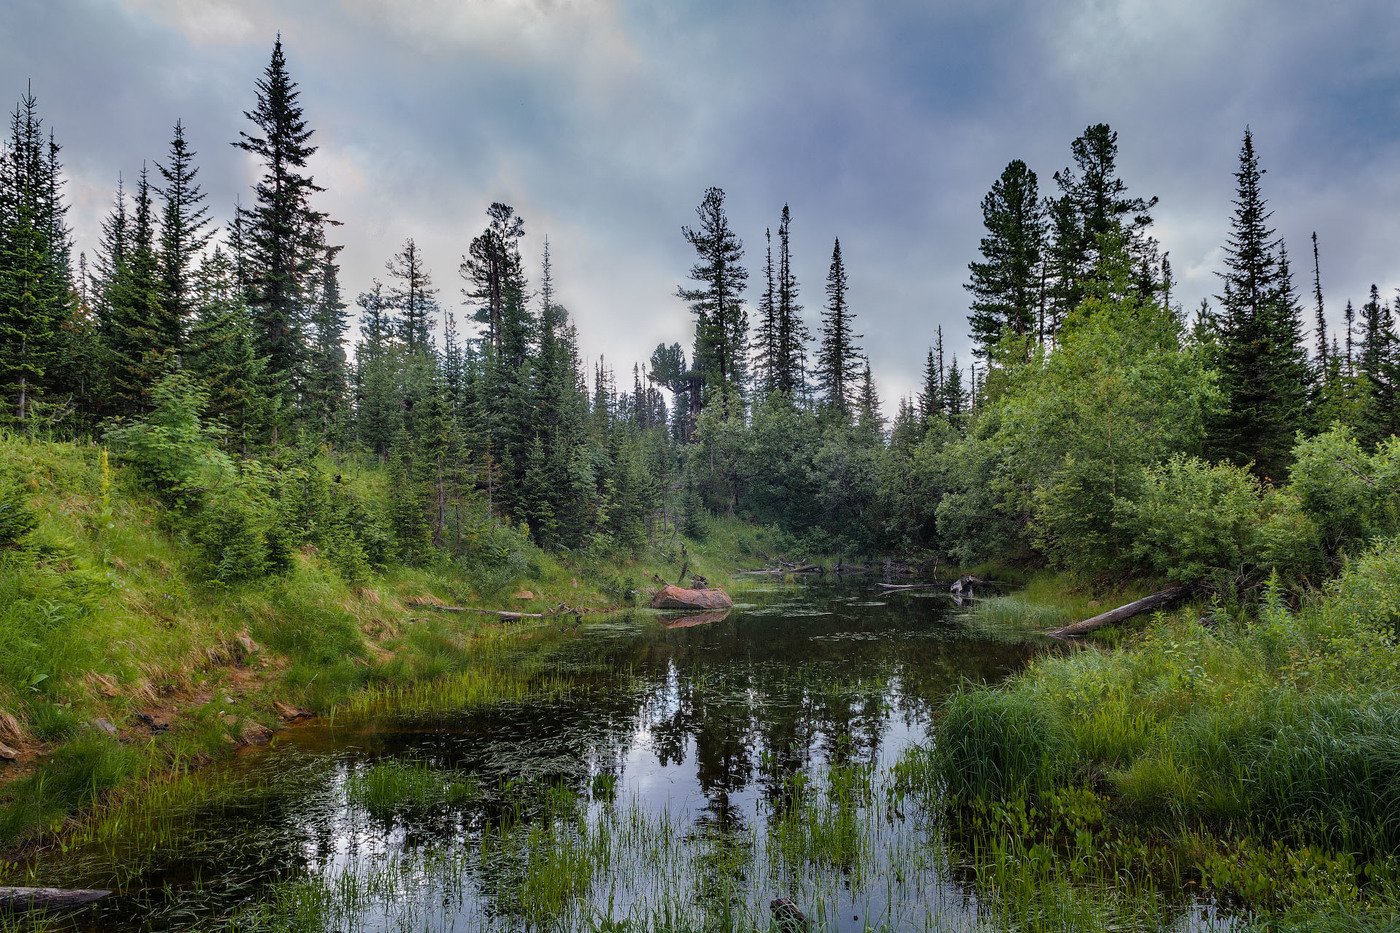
<point>717,302</point>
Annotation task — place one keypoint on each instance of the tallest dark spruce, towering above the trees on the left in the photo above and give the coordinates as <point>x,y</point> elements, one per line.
<point>281,228</point>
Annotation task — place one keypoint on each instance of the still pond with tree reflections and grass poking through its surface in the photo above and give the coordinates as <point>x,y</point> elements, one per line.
<point>667,774</point>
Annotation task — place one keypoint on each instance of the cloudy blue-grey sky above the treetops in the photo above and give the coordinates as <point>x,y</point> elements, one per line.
<point>881,123</point>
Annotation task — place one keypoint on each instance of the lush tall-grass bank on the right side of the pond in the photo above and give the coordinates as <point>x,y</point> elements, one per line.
<point>1258,759</point>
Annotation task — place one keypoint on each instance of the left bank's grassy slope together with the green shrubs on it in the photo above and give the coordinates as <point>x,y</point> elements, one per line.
<point>163,604</point>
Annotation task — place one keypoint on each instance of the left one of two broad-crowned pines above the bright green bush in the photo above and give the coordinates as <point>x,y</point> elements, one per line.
<point>1006,284</point>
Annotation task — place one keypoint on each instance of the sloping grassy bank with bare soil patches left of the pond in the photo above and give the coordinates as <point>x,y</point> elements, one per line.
<point>122,656</point>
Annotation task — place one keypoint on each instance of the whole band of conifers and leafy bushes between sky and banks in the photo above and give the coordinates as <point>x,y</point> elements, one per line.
<point>1088,393</point>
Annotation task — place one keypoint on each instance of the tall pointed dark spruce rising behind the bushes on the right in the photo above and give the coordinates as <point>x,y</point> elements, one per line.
<point>1263,369</point>
